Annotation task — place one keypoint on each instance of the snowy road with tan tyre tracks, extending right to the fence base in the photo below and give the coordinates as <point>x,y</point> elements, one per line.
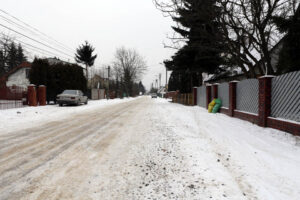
<point>147,149</point>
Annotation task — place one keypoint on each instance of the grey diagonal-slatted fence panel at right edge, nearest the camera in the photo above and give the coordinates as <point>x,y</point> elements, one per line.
<point>286,96</point>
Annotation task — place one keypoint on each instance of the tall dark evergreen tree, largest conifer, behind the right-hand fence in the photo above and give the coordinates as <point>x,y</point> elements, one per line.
<point>202,52</point>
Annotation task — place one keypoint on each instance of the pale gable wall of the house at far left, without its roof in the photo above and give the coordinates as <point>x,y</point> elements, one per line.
<point>18,78</point>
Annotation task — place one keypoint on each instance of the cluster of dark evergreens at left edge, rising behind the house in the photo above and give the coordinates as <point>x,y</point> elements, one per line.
<point>11,54</point>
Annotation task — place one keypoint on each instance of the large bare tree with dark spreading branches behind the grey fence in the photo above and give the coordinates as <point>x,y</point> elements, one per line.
<point>249,31</point>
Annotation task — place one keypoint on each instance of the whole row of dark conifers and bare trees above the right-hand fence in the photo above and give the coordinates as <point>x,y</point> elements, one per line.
<point>219,36</point>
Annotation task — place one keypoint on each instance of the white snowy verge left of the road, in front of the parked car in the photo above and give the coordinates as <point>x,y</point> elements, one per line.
<point>26,117</point>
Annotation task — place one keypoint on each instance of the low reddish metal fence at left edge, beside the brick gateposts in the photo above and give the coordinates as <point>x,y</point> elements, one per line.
<point>12,97</point>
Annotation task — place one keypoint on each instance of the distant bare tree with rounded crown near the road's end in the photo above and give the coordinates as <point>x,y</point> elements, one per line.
<point>129,66</point>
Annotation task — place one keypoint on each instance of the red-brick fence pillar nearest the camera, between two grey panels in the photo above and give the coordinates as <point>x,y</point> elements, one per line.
<point>264,102</point>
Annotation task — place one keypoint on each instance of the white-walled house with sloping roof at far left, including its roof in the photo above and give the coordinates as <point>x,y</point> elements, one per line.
<point>18,76</point>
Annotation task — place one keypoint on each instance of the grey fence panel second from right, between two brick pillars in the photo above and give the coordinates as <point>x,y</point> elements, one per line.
<point>247,96</point>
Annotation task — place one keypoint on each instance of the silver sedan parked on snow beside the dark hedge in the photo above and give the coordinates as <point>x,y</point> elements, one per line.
<point>71,97</point>
